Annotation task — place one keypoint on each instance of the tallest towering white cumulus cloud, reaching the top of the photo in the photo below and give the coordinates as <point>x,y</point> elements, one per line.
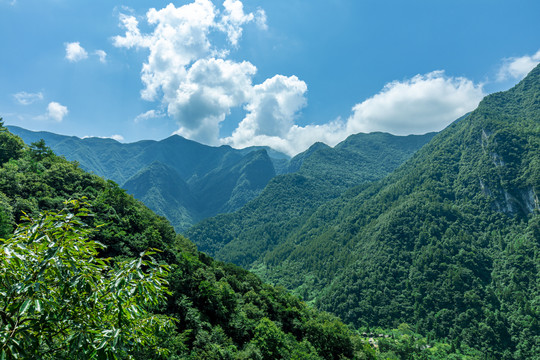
<point>191,77</point>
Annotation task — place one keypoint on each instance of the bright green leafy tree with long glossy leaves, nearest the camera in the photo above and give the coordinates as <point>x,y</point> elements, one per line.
<point>60,300</point>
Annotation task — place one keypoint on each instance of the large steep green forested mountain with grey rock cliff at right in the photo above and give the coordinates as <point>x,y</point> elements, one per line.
<point>448,243</point>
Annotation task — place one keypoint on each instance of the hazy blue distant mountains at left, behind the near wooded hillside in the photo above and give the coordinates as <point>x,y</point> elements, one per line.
<point>196,181</point>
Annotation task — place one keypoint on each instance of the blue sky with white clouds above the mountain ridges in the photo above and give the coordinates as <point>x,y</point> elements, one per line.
<point>279,73</point>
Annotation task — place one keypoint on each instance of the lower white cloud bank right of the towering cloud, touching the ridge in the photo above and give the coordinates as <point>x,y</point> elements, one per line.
<point>418,105</point>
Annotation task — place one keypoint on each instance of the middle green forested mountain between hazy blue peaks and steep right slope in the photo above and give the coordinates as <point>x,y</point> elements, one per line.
<point>317,175</point>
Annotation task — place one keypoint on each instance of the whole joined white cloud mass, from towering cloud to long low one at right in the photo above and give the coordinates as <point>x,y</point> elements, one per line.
<point>199,85</point>
